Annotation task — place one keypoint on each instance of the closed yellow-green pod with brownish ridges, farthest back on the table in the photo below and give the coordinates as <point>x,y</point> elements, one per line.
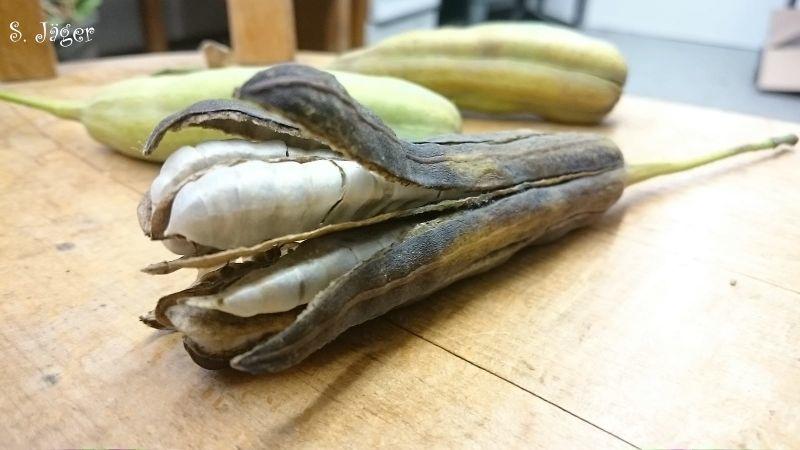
<point>504,68</point>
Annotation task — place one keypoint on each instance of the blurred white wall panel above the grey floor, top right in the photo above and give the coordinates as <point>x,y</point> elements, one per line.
<point>729,23</point>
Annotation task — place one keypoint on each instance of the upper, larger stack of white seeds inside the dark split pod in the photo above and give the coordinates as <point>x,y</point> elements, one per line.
<point>244,203</point>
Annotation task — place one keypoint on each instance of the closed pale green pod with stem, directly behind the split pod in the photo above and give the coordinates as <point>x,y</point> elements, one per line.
<point>122,114</point>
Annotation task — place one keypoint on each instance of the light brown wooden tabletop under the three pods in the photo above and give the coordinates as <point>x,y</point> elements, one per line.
<point>673,323</point>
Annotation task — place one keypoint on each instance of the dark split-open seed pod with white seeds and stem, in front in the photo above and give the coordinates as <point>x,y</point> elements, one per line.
<point>322,218</point>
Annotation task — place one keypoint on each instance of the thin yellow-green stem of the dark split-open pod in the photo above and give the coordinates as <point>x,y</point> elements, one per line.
<point>645,171</point>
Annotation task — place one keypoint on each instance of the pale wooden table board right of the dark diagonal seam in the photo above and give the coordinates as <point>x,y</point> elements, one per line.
<point>675,311</point>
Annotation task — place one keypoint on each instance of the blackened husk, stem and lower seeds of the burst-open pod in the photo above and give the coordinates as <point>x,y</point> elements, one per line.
<point>516,189</point>
